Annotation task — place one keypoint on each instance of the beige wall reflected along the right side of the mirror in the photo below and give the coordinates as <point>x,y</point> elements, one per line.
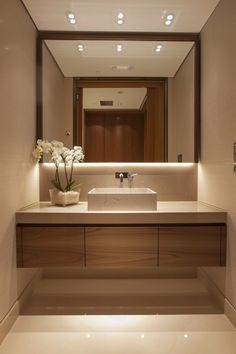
<point>181,112</point>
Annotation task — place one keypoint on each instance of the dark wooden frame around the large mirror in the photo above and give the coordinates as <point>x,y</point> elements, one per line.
<point>120,36</point>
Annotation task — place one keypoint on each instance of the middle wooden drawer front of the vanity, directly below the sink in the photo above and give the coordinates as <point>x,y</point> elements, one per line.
<point>121,246</point>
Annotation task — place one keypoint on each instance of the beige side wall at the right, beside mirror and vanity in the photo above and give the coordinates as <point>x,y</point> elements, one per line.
<point>217,181</point>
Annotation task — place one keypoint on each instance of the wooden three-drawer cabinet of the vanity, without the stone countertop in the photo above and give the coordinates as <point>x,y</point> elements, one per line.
<point>121,246</point>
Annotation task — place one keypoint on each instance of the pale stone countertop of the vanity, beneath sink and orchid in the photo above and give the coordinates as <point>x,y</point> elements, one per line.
<point>167,213</point>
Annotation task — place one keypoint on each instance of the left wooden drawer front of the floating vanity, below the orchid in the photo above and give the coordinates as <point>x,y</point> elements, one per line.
<point>50,246</point>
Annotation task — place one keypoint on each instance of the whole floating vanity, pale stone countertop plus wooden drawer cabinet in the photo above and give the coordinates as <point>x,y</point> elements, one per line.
<point>176,234</point>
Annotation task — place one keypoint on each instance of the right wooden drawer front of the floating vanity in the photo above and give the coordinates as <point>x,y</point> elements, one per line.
<point>191,245</point>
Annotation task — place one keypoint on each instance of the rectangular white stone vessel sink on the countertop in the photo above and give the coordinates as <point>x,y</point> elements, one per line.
<point>122,199</point>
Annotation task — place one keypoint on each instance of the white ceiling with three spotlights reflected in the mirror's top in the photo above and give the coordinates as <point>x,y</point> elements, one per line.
<point>100,58</point>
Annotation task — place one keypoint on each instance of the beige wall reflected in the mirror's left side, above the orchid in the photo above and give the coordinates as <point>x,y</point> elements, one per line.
<point>57,102</point>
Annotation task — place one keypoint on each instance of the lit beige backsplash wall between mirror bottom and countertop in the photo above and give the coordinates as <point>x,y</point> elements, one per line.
<point>170,182</point>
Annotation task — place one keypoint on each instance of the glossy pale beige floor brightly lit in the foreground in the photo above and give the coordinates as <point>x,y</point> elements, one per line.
<point>162,334</point>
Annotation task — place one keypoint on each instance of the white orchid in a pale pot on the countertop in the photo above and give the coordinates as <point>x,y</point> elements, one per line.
<point>61,194</point>
